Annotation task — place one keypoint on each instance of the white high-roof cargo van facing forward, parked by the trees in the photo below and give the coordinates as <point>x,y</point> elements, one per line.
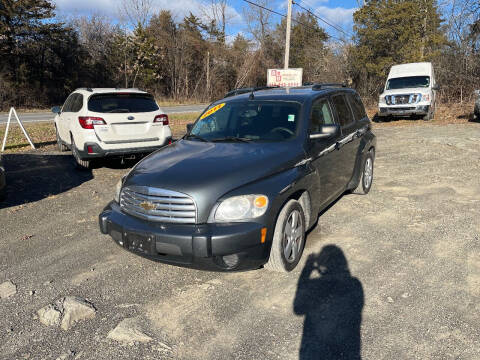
<point>410,90</point>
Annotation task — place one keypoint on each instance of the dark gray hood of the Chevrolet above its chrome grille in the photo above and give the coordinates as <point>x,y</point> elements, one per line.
<point>206,170</point>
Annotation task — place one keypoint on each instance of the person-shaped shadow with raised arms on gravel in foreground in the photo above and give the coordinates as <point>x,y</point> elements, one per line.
<point>332,302</point>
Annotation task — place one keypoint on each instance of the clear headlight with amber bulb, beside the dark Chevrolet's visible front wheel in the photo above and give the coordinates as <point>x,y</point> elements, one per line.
<point>239,208</point>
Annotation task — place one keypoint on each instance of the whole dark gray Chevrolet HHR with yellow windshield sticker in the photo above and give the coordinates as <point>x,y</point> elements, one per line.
<point>246,182</point>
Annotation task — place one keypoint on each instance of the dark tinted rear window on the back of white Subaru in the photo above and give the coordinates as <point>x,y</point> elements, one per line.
<point>122,103</point>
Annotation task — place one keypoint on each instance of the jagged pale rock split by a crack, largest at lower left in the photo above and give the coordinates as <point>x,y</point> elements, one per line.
<point>66,312</point>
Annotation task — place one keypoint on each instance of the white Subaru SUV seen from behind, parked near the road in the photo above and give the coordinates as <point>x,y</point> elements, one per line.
<point>97,123</point>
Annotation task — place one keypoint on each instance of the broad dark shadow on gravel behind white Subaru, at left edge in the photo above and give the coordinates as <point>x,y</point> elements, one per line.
<point>32,177</point>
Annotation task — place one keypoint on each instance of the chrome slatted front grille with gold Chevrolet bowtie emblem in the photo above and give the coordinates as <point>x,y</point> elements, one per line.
<point>158,205</point>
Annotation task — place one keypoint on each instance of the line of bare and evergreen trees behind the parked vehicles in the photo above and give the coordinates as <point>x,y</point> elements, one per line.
<point>43,58</point>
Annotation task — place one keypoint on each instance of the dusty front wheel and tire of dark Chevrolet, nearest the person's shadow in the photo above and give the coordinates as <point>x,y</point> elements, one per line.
<point>290,215</point>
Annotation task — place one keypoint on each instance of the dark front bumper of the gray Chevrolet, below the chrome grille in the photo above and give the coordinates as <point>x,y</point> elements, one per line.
<point>217,247</point>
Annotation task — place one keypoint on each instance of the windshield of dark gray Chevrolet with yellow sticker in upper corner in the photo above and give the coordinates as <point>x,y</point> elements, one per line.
<point>248,120</point>
